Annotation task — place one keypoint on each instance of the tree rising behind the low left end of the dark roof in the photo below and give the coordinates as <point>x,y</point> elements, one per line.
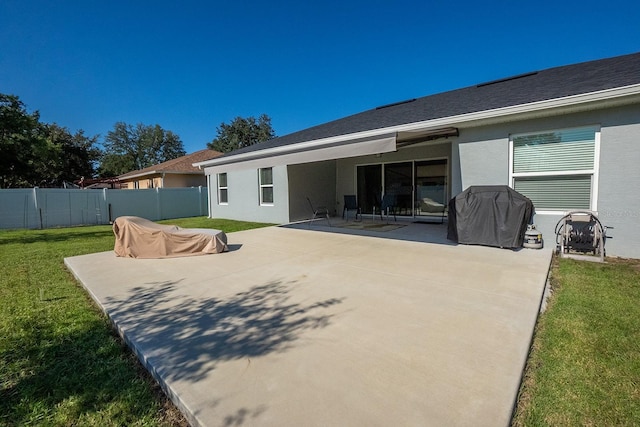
<point>242,133</point>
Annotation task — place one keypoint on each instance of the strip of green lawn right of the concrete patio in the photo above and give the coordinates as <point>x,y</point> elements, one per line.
<point>584,367</point>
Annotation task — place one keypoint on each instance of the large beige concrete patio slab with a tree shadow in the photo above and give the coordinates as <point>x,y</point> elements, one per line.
<point>298,327</point>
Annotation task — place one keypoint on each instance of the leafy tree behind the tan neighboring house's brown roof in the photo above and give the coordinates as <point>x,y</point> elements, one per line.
<point>128,148</point>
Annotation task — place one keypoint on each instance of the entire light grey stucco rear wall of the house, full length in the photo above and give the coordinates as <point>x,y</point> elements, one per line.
<point>478,156</point>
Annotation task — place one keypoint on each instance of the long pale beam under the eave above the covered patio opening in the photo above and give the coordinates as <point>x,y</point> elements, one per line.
<point>300,155</point>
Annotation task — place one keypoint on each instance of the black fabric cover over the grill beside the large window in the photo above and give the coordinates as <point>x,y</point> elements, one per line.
<point>490,215</point>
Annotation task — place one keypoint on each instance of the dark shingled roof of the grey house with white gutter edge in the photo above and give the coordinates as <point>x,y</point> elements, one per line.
<point>500,96</point>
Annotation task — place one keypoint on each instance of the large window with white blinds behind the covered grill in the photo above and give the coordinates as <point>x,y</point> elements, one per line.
<point>555,169</point>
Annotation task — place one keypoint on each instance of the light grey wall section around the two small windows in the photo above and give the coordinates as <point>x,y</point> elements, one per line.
<point>244,197</point>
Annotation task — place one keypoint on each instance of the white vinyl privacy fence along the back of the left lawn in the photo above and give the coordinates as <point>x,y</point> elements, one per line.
<point>53,207</point>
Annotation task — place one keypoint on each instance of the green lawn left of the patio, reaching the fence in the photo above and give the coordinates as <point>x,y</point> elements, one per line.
<point>60,361</point>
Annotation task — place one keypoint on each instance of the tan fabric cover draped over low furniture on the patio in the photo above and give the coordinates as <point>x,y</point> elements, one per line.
<point>140,238</point>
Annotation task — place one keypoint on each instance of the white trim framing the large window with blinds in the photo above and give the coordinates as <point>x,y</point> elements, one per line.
<point>595,172</point>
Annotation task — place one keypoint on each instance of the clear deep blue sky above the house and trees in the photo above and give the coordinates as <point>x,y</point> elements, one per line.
<point>191,65</point>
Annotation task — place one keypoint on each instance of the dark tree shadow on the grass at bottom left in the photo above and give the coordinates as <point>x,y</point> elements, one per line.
<point>60,378</point>
